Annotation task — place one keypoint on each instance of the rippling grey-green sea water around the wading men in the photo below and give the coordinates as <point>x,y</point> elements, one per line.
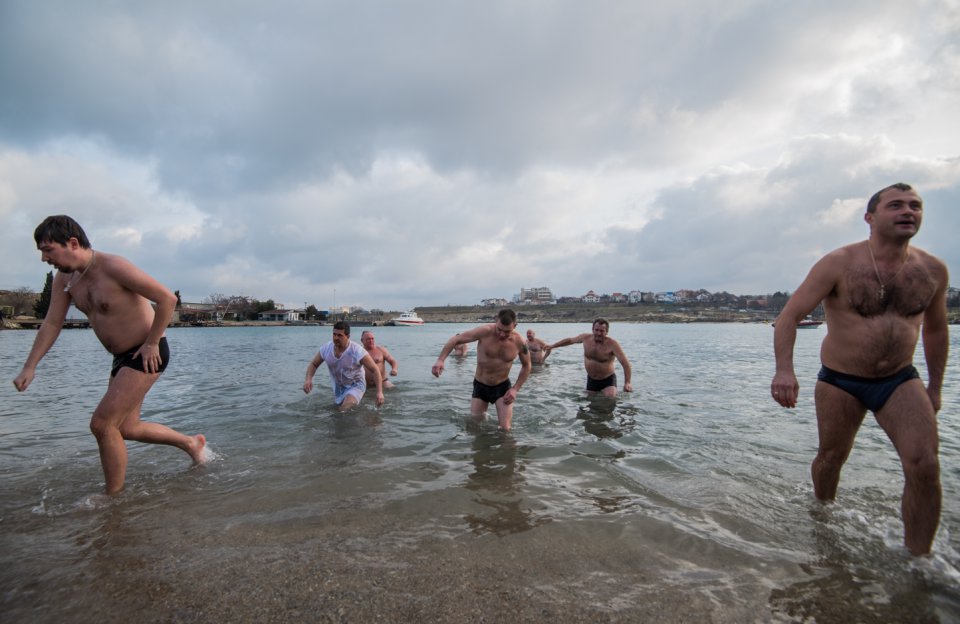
<point>688,499</point>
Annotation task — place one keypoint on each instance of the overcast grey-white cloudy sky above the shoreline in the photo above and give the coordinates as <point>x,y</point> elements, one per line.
<point>392,154</point>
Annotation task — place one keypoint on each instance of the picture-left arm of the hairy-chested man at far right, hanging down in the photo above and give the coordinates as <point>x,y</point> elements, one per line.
<point>819,283</point>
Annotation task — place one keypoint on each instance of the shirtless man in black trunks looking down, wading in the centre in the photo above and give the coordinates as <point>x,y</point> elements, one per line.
<point>498,345</point>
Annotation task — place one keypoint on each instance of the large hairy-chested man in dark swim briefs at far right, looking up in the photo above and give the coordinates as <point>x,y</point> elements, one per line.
<point>880,296</point>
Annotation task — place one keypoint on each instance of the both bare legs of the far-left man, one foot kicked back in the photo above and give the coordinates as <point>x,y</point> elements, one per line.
<point>117,418</point>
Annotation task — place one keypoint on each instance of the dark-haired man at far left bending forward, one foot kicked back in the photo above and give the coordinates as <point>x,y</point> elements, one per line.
<point>115,295</point>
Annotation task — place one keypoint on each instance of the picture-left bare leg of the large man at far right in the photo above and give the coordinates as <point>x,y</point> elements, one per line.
<point>839,416</point>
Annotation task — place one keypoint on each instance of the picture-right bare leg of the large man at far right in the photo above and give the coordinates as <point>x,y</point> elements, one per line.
<point>910,422</point>
